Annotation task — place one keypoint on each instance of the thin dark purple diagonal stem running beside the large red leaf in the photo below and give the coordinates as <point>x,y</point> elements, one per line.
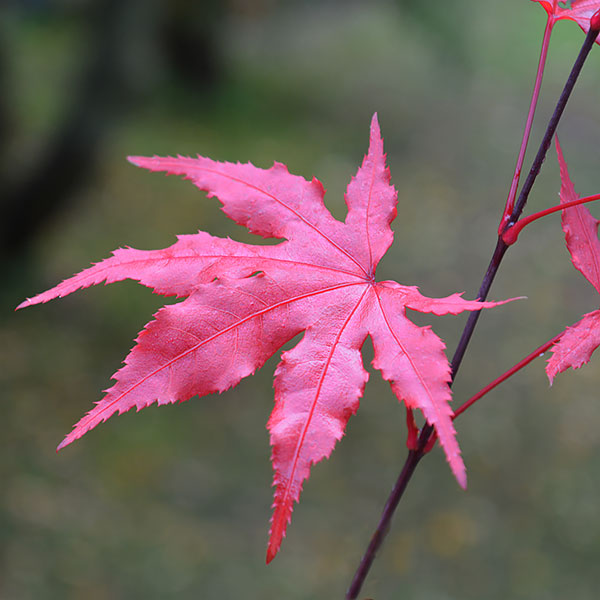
<point>414,456</point>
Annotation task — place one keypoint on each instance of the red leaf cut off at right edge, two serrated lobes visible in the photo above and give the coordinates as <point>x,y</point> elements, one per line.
<point>579,341</point>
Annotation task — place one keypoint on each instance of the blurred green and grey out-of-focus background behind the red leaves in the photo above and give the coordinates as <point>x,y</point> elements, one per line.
<point>174,502</point>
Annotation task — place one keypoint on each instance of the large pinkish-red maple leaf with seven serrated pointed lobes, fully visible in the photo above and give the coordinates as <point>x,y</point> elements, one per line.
<point>243,302</point>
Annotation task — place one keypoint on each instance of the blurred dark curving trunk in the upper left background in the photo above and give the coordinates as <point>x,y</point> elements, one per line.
<point>71,153</point>
